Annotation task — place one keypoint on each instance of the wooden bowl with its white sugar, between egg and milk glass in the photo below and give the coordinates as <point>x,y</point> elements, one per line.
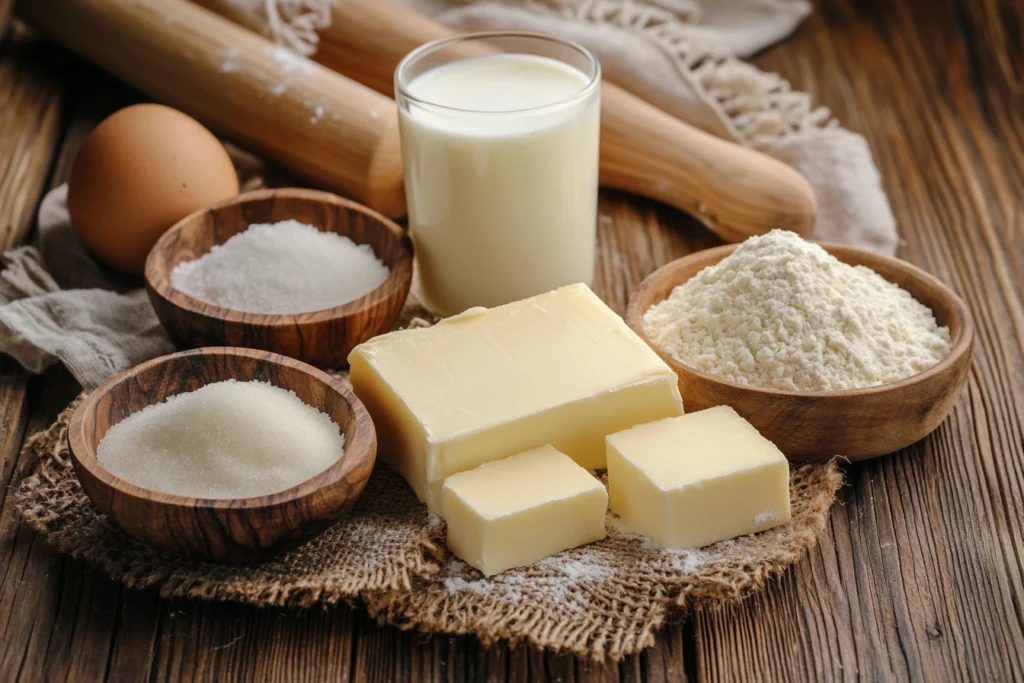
<point>312,290</point>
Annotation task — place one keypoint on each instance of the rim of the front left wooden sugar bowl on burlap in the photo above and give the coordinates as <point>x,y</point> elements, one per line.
<point>357,451</point>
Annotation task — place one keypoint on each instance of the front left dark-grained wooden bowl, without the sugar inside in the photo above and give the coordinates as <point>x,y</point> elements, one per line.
<point>223,531</point>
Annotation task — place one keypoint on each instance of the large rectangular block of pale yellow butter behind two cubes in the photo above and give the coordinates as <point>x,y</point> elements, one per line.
<point>561,368</point>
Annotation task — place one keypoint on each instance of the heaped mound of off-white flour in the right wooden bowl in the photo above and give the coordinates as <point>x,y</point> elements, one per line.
<point>781,313</point>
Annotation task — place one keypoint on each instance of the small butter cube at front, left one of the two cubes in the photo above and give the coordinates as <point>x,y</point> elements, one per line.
<point>520,510</point>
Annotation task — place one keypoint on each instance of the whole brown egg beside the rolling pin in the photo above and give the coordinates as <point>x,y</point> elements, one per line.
<point>141,172</point>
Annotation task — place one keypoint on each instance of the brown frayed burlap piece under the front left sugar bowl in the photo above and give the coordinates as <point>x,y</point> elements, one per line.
<point>52,502</point>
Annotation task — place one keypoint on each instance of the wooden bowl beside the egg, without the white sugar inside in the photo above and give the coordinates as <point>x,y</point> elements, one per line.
<point>323,338</point>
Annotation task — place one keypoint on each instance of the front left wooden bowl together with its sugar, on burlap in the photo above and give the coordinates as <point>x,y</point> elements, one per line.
<point>209,447</point>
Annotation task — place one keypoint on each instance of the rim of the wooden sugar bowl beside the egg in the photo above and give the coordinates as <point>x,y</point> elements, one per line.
<point>401,275</point>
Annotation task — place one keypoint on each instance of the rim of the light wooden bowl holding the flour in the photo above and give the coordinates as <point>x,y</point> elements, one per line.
<point>961,345</point>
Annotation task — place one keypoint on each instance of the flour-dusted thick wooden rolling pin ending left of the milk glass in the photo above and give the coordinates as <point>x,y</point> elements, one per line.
<point>310,119</point>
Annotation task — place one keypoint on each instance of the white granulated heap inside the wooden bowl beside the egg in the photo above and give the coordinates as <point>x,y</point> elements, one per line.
<point>285,268</point>
